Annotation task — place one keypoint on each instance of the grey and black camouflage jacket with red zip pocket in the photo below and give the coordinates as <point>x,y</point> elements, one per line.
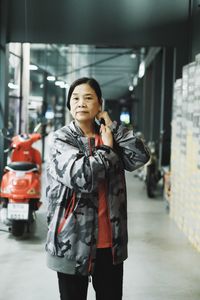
<point>76,167</point>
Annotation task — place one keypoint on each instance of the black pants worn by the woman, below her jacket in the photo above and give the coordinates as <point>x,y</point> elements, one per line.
<point>107,280</point>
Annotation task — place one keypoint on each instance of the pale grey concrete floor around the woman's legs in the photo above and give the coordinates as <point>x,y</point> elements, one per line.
<point>161,264</point>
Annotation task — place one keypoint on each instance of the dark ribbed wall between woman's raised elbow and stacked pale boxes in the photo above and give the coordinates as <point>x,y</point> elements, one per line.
<point>154,95</point>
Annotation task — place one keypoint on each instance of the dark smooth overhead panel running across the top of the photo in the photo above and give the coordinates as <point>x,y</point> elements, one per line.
<point>94,22</point>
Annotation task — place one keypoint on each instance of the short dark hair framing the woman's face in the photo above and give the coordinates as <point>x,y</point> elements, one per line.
<point>91,82</point>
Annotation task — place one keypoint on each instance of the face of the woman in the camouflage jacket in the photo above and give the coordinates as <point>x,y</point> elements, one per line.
<point>84,103</point>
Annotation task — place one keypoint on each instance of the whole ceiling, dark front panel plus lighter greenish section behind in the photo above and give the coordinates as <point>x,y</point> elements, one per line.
<point>71,38</point>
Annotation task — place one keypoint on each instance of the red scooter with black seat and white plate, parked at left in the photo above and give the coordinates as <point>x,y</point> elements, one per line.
<point>21,183</point>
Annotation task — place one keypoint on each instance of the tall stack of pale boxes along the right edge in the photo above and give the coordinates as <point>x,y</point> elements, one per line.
<point>185,153</point>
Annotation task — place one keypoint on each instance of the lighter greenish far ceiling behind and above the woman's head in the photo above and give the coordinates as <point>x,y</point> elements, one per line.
<point>113,67</point>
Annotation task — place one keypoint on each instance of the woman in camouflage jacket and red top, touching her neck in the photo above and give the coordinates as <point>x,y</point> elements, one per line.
<point>86,193</point>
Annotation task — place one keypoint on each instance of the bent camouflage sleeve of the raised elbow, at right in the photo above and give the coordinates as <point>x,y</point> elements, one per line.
<point>132,150</point>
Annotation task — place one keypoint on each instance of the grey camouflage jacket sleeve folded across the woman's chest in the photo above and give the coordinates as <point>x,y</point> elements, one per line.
<point>79,167</point>
